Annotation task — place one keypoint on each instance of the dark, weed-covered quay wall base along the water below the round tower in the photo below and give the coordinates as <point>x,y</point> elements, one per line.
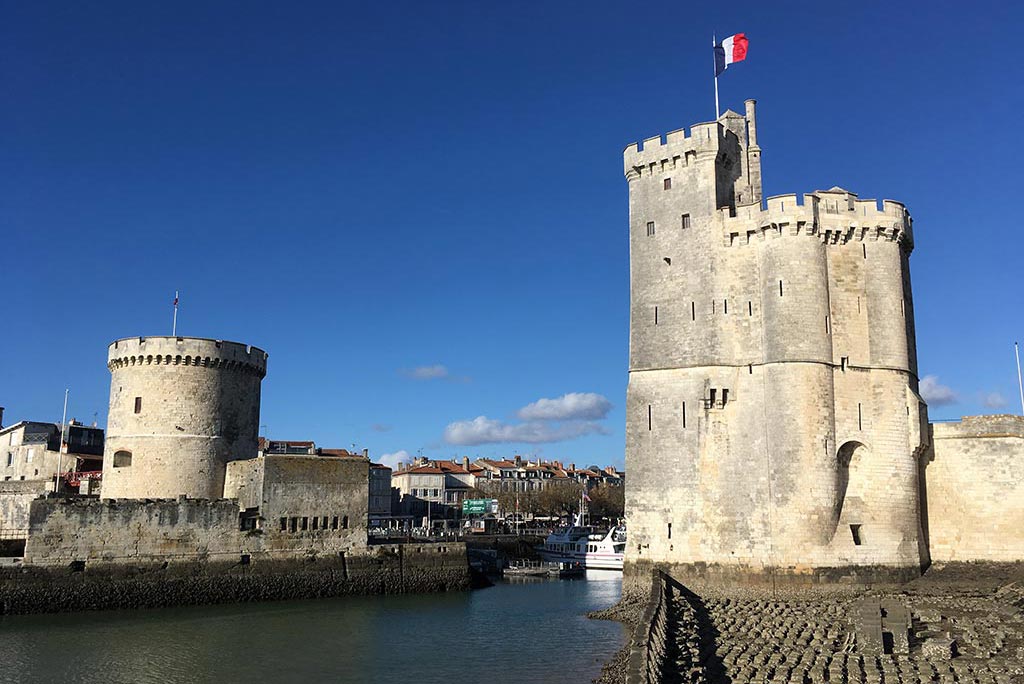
<point>408,569</point>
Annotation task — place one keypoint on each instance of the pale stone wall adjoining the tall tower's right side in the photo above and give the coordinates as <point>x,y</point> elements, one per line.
<point>974,481</point>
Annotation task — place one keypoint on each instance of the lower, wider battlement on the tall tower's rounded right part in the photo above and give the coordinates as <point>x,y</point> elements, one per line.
<point>835,217</point>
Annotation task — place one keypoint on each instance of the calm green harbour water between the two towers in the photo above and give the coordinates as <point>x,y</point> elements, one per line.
<point>529,632</point>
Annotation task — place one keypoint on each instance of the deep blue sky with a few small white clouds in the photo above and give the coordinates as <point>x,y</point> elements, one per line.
<point>418,209</point>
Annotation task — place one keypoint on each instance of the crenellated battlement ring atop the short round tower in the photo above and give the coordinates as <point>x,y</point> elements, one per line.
<point>196,352</point>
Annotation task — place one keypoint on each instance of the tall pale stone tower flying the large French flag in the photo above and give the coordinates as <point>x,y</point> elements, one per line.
<point>774,423</point>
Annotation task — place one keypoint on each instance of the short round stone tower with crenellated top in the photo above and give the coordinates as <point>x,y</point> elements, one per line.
<point>181,409</point>
